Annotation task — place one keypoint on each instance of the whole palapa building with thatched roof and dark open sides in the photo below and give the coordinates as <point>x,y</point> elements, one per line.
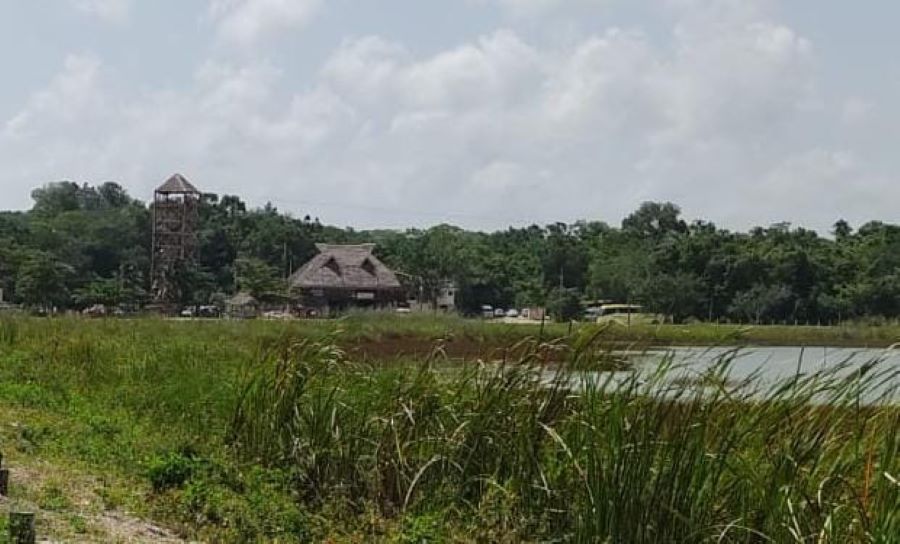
<point>344,277</point>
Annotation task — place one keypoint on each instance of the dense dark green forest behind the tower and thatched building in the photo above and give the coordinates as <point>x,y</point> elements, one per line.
<point>81,245</point>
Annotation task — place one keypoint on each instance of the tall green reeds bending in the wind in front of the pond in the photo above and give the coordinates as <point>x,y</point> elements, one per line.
<point>634,460</point>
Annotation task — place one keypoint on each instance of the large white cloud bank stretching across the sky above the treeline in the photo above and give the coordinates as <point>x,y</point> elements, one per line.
<point>493,131</point>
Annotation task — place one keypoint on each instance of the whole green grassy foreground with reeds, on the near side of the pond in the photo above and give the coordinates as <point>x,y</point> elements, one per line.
<point>272,432</point>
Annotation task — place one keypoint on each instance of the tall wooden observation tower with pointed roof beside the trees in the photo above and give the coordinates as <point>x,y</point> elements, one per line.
<point>176,217</point>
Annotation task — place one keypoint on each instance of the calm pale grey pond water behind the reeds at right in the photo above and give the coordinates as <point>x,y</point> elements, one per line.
<point>766,366</point>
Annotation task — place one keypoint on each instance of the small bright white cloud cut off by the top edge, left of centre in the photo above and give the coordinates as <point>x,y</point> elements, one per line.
<point>246,22</point>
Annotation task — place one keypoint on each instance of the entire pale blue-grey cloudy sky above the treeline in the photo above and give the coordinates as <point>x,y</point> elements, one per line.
<point>480,113</point>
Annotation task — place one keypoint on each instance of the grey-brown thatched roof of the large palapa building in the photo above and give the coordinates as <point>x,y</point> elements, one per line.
<point>345,267</point>
